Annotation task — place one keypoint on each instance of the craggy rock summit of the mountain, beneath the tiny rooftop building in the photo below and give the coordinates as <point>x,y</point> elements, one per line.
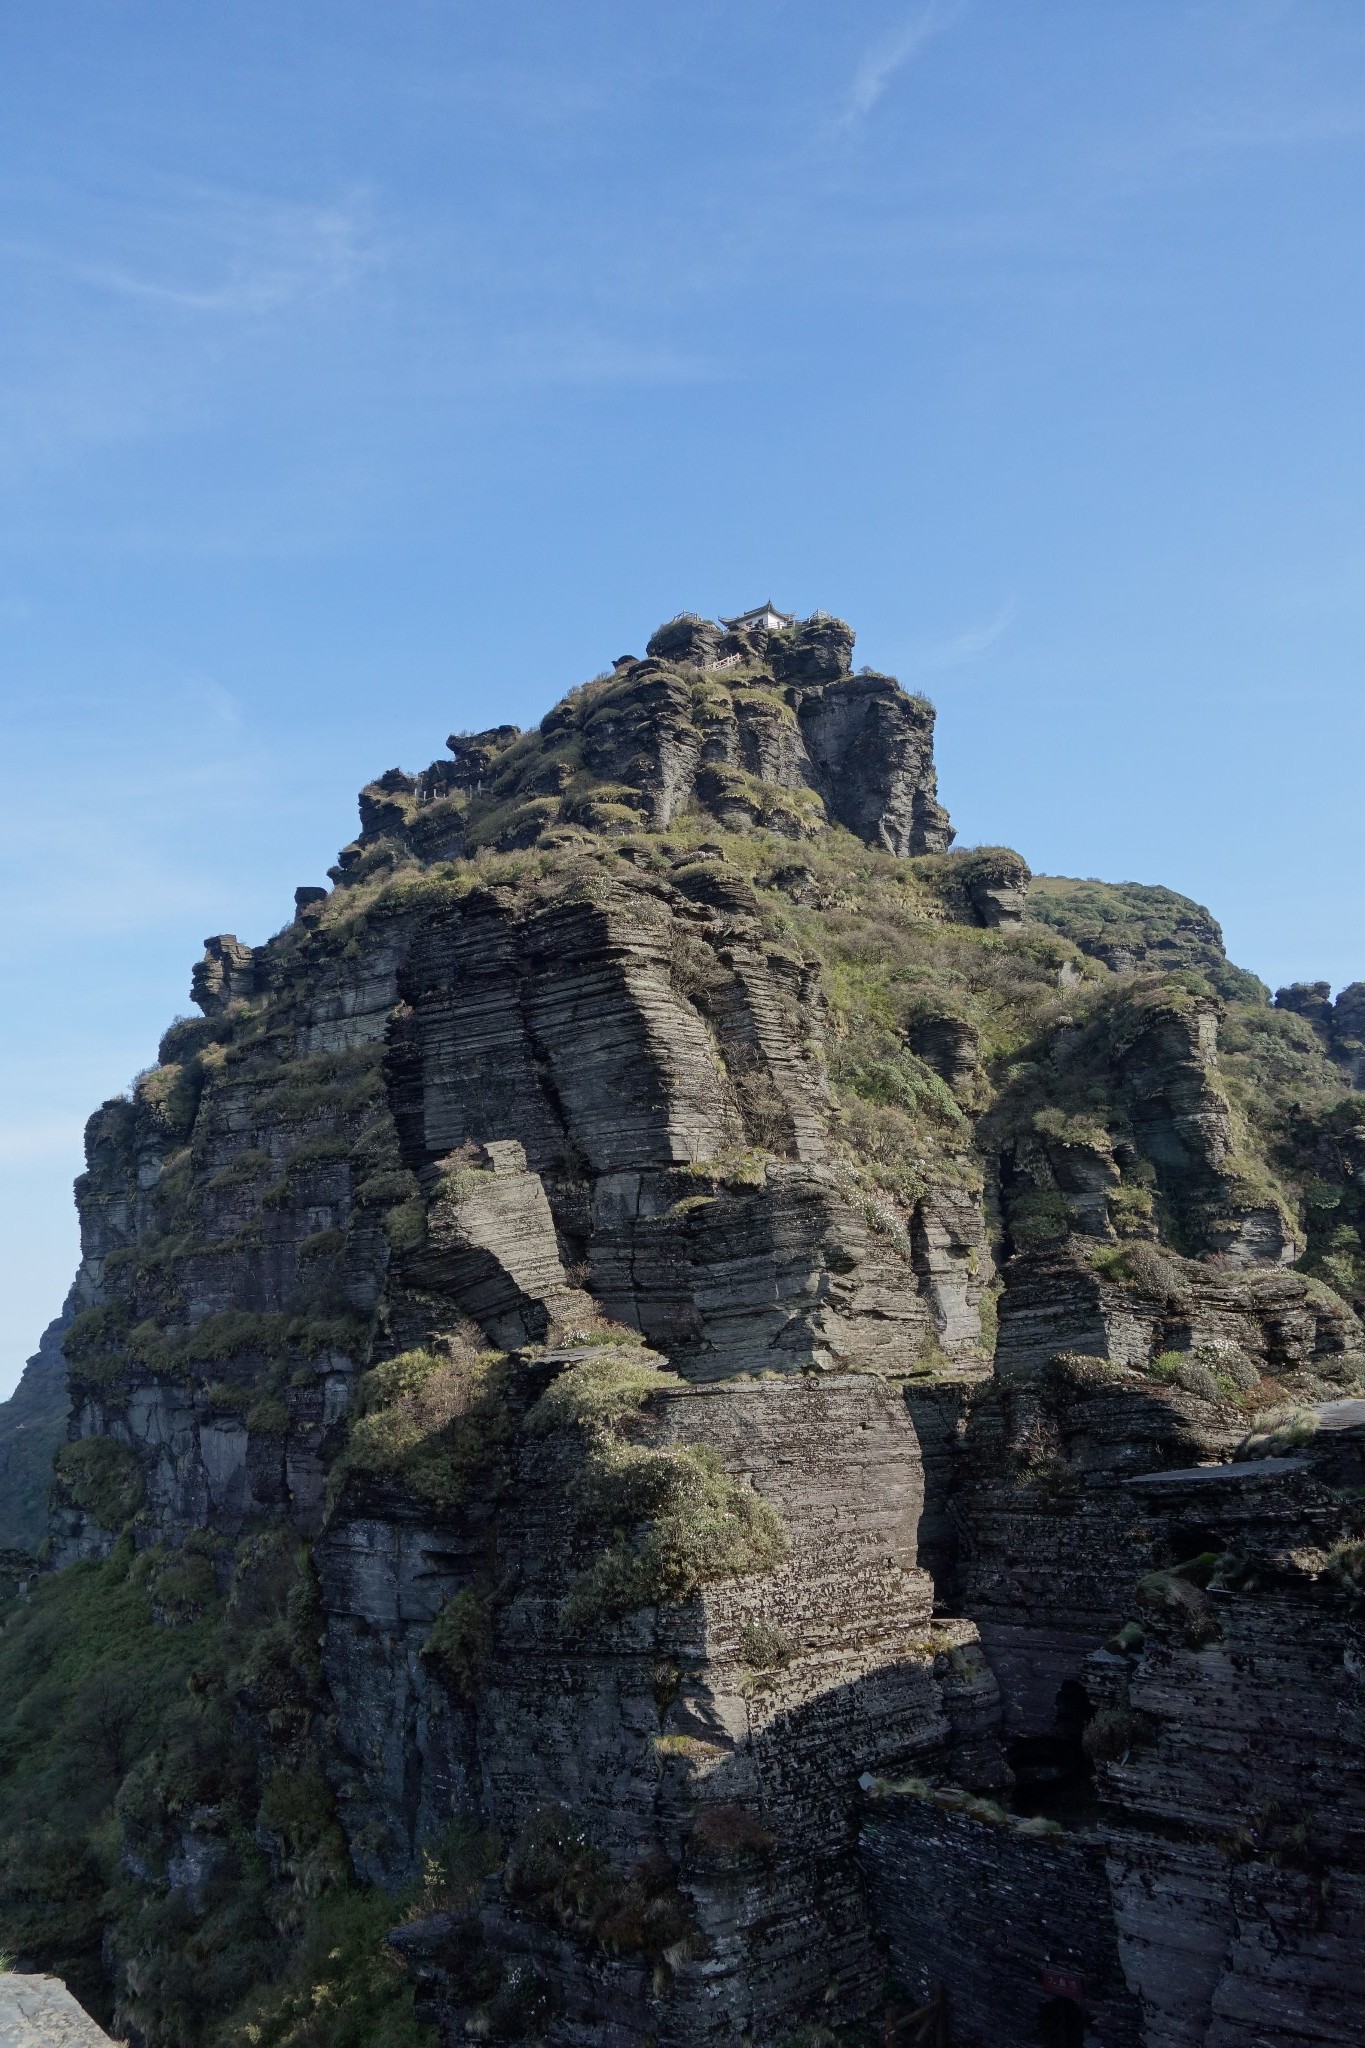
<point>756,730</point>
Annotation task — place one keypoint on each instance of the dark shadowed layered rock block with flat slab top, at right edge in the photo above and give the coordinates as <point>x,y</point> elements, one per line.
<point>1233,1754</point>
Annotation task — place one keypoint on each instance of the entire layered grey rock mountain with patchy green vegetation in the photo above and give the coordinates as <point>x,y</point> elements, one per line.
<point>707,1420</point>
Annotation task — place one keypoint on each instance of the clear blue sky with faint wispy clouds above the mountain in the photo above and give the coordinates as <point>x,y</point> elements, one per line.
<point>380,368</point>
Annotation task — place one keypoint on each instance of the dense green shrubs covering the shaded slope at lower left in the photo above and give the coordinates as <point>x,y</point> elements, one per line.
<point>124,1691</point>
